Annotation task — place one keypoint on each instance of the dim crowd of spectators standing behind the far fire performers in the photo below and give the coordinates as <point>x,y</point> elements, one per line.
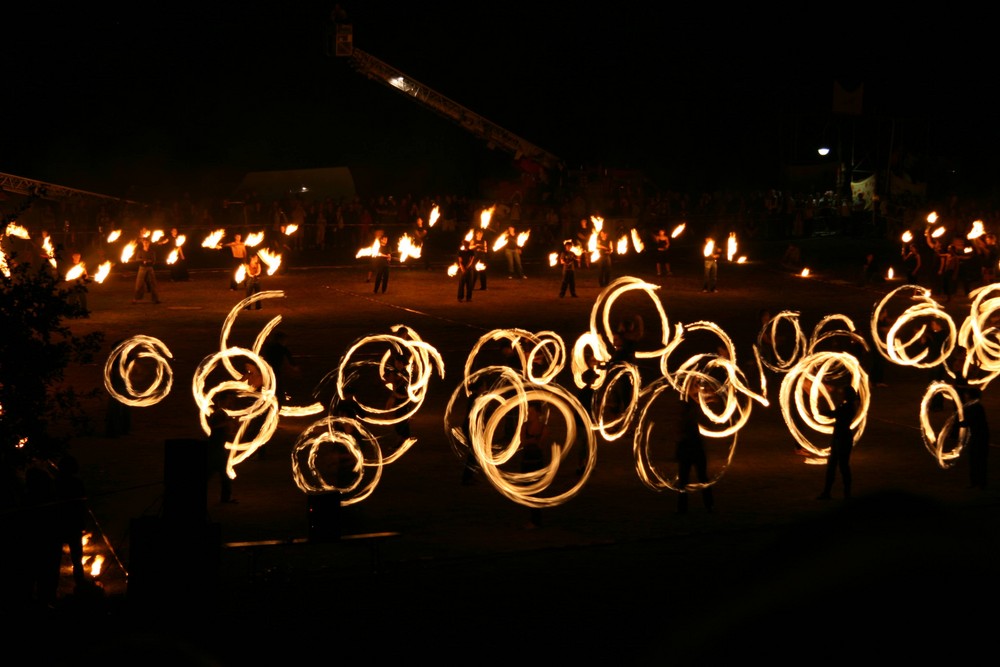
<point>338,227</point>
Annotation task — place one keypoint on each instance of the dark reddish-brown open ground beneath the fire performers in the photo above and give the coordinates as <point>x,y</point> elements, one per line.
<point>905,570</point>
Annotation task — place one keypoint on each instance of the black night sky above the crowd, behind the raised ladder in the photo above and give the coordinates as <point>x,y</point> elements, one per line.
<point>189,96</point>
